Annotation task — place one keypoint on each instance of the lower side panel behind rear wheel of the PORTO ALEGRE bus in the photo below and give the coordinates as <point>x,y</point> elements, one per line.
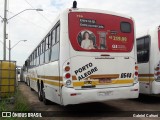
<point>52,82</point>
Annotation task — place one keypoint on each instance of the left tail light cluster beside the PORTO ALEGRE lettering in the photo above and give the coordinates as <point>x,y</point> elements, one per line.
<point>67,75</point>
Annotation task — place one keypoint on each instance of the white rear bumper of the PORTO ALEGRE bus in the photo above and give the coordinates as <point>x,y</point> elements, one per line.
<point>97,95</point>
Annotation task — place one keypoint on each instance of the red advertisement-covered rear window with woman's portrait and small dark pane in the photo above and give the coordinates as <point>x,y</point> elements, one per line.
<point>96,32</point>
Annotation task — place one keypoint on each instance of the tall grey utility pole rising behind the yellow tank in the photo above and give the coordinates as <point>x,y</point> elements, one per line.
<point>4,29</point>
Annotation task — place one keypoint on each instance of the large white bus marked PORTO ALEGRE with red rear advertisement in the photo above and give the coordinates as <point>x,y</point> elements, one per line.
<point>87,56</point>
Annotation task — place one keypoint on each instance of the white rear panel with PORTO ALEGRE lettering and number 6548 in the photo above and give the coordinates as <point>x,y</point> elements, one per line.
<point>102,71</point>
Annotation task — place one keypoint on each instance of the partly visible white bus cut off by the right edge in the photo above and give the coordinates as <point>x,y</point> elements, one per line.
<point>148,55</point>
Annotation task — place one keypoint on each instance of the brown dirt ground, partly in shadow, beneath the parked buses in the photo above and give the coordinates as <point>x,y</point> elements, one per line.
<point>109,108</point>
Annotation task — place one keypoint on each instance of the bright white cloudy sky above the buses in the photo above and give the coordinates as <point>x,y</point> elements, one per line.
<point>32,25</point>
